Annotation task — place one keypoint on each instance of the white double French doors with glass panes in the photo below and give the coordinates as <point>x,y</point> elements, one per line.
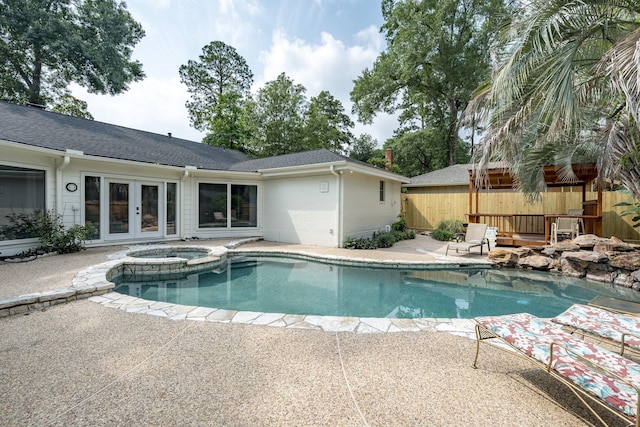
<point>134,209</point>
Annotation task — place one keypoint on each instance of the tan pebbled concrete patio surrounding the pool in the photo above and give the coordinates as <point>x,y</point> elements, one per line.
<point>84,364</point>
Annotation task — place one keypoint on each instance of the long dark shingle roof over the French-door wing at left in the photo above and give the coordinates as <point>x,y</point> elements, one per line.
<point>40,128</point>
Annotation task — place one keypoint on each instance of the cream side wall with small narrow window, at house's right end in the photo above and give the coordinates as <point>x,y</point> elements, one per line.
<point>363,212</point>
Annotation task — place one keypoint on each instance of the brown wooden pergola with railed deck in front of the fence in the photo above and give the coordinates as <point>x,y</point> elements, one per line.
<point>515,229</point>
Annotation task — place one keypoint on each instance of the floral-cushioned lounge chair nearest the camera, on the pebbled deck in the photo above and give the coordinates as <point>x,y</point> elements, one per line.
<point>591,372</point>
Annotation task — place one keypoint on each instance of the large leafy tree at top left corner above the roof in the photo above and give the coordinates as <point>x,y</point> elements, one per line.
<point>47,44</point>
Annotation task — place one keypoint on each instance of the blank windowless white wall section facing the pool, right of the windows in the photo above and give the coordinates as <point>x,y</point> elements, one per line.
<point>301,210</point>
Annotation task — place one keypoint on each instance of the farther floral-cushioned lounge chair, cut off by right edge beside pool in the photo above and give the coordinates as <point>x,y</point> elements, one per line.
<point>602,324</point>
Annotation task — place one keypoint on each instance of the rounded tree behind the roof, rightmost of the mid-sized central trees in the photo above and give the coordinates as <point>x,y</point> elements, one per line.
<point>327,125</point>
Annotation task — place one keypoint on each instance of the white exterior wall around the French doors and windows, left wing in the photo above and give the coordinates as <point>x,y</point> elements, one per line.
<point>70,205</point>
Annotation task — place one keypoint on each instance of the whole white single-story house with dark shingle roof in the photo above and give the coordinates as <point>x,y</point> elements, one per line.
<point>137,186</point>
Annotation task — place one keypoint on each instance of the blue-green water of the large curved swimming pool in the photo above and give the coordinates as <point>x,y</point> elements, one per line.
<point>292,286</point>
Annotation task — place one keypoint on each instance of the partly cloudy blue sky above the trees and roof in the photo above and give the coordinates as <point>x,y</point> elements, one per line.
<point>320,44</point>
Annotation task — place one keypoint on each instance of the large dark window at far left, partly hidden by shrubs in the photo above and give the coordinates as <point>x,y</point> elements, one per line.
<point>21,193</point>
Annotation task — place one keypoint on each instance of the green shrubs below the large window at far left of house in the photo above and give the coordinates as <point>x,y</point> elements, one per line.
<point>49,228</point>
